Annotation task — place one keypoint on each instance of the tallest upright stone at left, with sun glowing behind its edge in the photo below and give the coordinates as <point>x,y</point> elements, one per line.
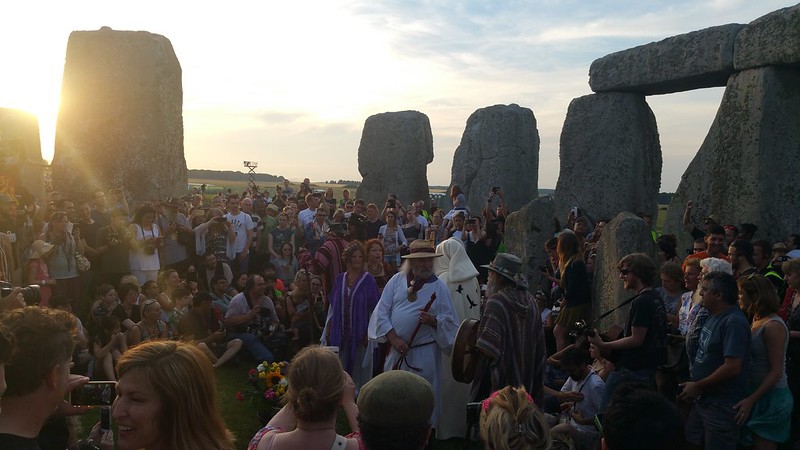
<point>120,122</point>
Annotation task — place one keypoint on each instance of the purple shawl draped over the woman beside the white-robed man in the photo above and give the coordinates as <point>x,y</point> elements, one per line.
<point>364,298</point>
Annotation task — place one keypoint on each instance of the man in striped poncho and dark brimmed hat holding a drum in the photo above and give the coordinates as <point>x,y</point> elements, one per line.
<point>510,335</point>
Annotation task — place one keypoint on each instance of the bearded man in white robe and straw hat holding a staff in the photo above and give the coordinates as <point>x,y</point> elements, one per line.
<point>418,326</point>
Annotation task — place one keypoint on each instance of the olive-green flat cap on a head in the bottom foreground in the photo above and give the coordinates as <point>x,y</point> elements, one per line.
<point>396,399</point>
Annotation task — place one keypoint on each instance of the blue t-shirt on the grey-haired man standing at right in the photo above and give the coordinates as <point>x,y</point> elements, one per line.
<point>723,335</point>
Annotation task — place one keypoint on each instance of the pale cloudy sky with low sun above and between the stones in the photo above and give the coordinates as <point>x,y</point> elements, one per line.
<point>290,84</point>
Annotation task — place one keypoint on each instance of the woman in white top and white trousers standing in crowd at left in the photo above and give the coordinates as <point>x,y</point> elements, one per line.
<point>143,257</point>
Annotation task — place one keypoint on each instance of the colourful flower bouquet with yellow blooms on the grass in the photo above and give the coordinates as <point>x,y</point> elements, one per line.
<point>268,386</point>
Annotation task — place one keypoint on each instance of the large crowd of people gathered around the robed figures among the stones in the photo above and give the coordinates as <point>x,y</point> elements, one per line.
<point>190,284</point>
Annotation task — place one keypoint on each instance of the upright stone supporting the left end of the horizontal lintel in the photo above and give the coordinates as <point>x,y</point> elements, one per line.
<point>610,157</point>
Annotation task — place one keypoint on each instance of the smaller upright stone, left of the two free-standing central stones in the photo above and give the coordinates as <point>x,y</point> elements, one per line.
<point>395,150</point>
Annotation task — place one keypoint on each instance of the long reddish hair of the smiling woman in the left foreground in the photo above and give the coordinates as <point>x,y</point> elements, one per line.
<point>183,378</point>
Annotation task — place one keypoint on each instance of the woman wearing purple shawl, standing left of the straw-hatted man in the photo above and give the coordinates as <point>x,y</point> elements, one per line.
<point>352,299</point>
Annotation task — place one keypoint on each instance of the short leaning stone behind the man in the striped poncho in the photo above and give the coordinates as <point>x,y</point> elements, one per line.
<point>527,229</point>
